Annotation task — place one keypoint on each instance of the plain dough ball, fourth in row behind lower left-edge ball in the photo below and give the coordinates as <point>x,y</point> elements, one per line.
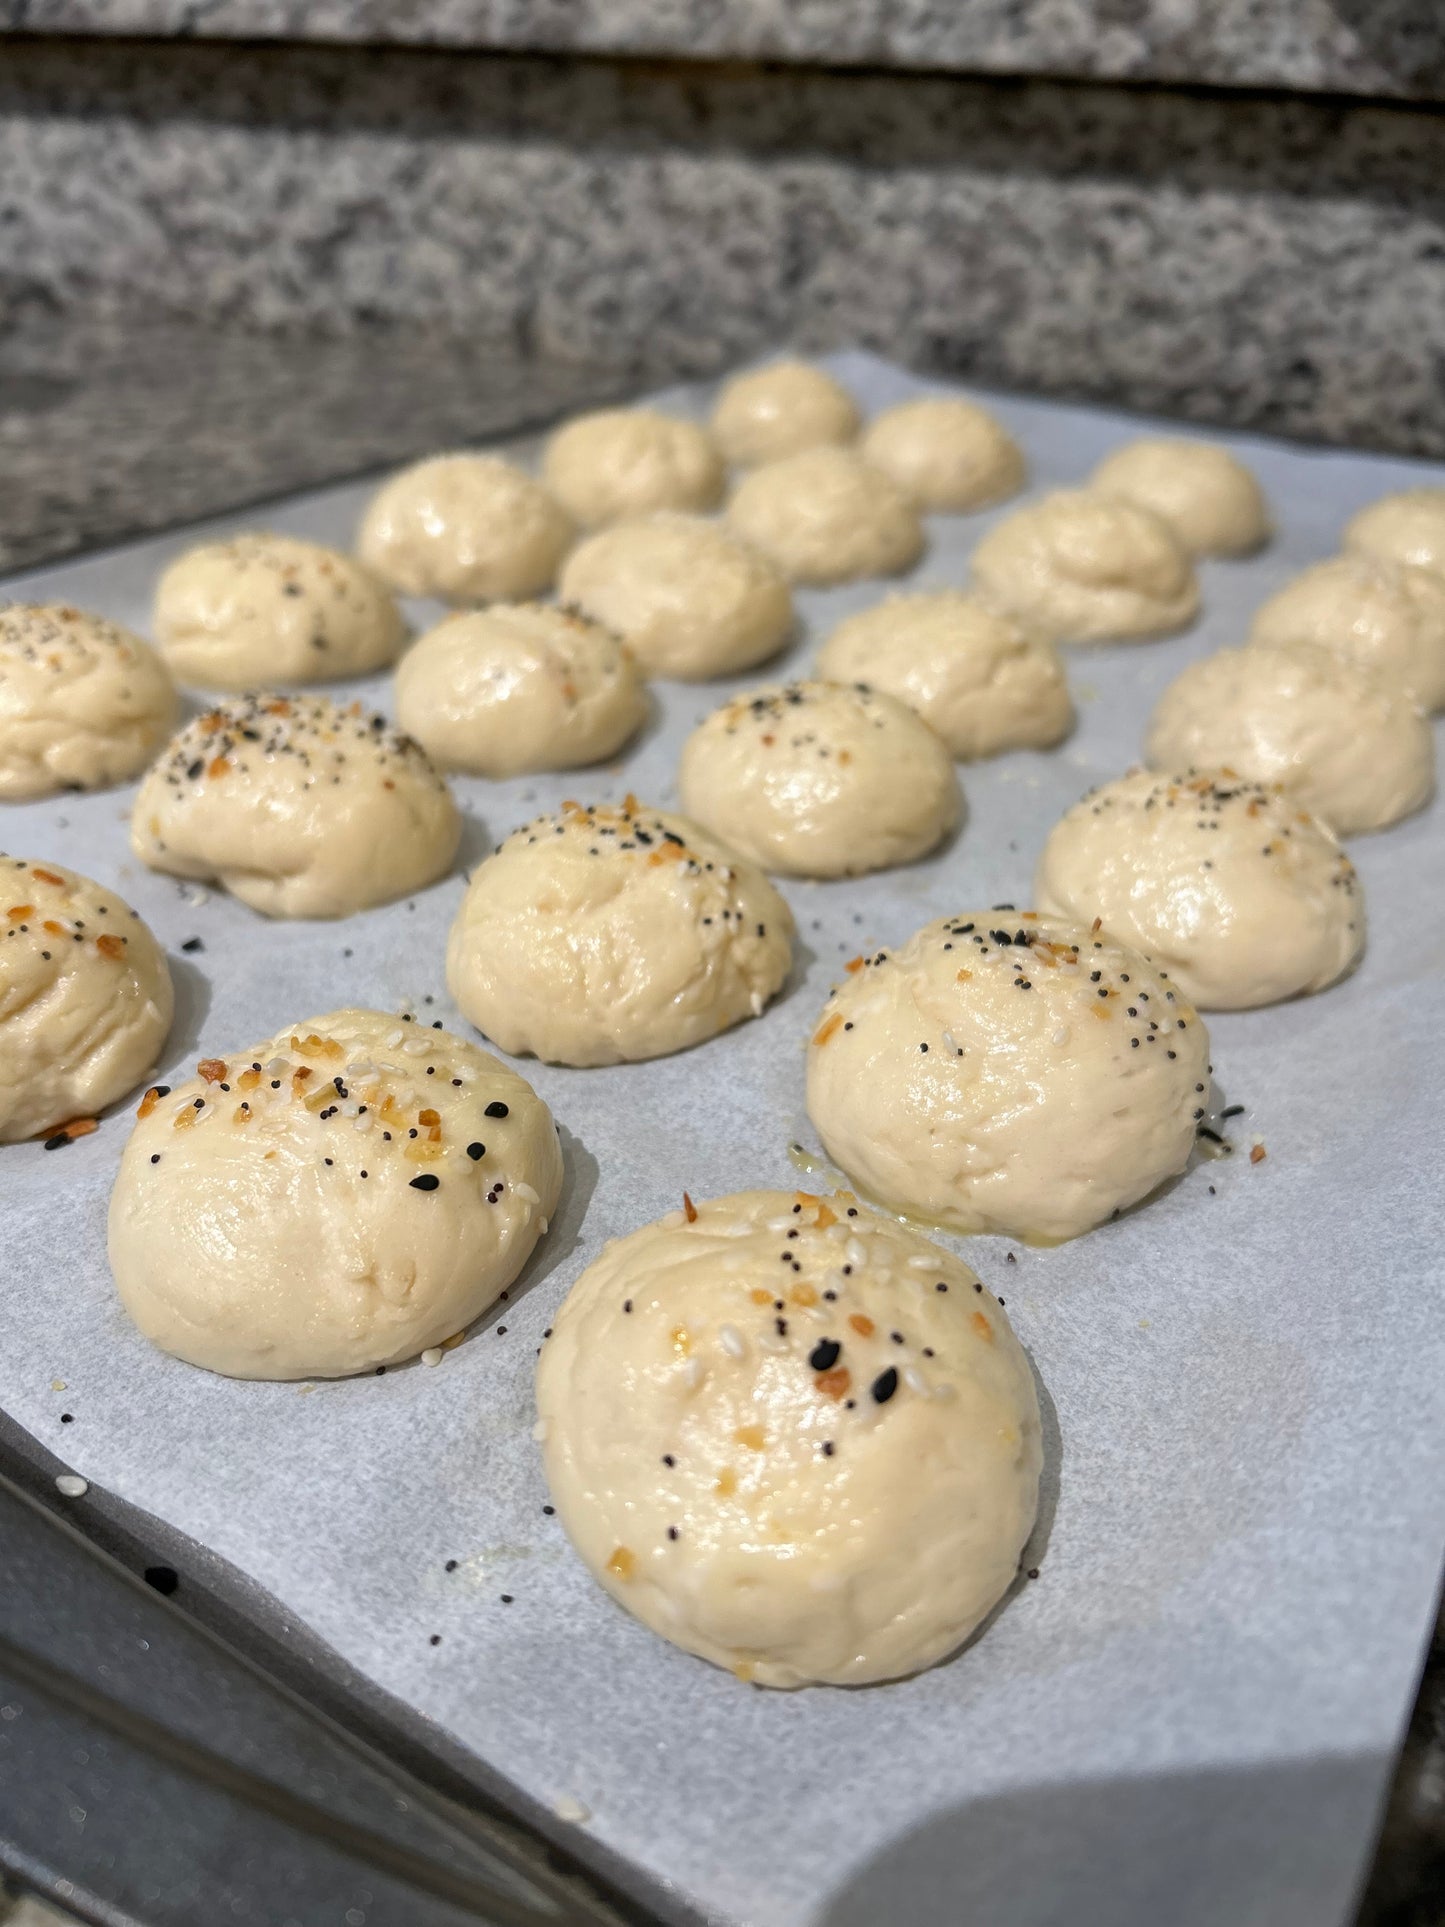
<point>691,600</point>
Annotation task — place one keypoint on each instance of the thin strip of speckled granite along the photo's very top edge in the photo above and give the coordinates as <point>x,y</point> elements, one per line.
<point>1359,47</point>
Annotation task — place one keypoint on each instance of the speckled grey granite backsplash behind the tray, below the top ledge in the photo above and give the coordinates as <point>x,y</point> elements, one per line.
<point>1269,263</point>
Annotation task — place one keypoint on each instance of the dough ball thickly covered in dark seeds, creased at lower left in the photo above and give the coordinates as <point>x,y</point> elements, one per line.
<point>298,806</point>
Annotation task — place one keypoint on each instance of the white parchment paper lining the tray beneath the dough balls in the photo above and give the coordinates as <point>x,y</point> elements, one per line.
<point>1194,1712</point>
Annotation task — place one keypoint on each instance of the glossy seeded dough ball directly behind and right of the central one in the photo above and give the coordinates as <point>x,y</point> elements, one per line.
<point>820,779</point>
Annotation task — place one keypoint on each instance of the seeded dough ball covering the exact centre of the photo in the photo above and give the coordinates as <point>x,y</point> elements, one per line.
<point>616,934</point>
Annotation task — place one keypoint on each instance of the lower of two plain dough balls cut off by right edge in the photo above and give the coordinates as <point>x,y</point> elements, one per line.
<point>1371,612</point>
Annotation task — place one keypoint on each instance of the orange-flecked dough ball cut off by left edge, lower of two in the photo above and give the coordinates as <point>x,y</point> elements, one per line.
<point>86,999</point>
